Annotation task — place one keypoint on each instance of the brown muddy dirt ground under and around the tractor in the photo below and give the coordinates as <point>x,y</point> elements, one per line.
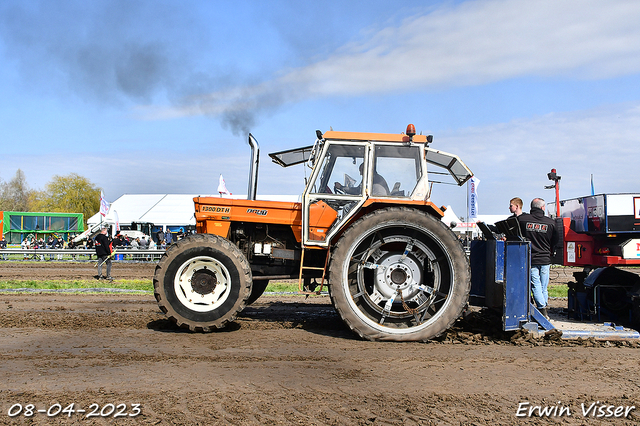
<point>286,360</point>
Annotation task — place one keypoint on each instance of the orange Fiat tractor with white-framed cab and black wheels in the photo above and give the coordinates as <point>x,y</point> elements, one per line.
<point>394,271</point>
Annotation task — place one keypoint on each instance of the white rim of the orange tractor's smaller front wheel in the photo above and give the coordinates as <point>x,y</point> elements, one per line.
<point>202,284</point>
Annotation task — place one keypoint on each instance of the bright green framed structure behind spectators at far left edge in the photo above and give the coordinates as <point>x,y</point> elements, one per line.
<point>17,226</point>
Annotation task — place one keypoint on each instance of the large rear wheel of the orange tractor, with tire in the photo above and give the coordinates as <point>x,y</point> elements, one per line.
<point>399,274</point>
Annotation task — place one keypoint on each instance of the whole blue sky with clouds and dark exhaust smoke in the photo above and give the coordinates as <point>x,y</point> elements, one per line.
<point>158,96</point>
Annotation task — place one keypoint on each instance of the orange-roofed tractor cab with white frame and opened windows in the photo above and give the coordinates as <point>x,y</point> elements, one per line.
<point>354,169</point>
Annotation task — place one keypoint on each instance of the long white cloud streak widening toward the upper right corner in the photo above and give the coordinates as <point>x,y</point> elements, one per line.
<point>473,43</point>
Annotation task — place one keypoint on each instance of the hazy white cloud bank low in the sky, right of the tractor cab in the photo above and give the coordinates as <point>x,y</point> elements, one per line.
<point>512,159</point>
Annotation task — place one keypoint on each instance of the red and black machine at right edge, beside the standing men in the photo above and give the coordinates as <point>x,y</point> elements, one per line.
<point>601,233</point>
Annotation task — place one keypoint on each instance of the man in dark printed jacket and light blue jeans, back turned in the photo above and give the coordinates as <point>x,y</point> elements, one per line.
<point>541,231</point>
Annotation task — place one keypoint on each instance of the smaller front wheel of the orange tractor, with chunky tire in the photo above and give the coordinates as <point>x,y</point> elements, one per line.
<point>202,282</point>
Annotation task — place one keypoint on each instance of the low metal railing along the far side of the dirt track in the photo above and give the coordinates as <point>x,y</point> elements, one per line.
<point>80,255</point>
